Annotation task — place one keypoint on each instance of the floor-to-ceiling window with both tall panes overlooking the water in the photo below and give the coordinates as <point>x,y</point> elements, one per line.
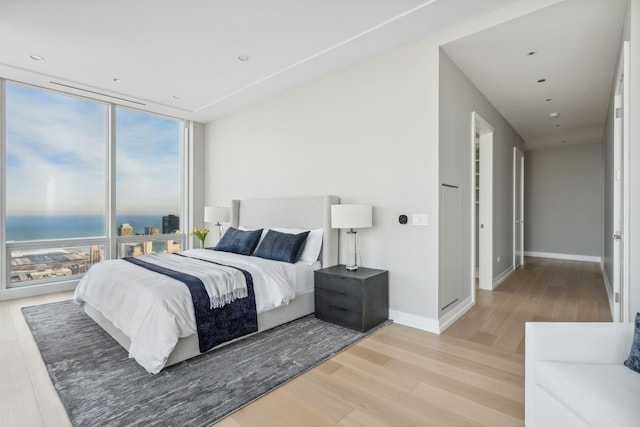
<point>75,194</point>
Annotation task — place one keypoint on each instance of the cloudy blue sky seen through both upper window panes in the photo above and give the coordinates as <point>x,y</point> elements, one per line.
<point>56,149</point>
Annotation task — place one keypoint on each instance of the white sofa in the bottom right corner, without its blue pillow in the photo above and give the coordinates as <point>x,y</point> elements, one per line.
<point>574,375</point>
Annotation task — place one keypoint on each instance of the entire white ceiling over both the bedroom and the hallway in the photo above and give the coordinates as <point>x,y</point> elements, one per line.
<point>159,49</point>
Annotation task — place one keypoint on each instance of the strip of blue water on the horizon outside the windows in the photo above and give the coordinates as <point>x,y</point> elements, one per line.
<point>43,227</point>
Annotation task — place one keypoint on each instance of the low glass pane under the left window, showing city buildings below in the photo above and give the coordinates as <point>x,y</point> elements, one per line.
<point>28,265</point>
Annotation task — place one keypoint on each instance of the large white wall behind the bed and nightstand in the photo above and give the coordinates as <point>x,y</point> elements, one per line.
<point>366,134</point>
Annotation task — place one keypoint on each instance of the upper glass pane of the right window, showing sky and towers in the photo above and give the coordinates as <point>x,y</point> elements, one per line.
<point>147,173</point>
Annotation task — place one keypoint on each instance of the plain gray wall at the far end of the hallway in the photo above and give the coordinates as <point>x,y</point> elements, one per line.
<point>563,200</point>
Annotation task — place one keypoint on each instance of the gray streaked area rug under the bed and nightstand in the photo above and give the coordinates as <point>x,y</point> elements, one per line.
<point>100,386</point>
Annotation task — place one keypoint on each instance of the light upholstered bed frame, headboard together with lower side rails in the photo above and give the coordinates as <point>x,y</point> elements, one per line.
<point>307,213</point>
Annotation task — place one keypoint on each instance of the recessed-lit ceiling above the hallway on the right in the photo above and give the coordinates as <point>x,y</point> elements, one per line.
<point>576,44</point>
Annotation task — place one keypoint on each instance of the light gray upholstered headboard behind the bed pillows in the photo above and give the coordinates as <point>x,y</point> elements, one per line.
<point>308,213</point>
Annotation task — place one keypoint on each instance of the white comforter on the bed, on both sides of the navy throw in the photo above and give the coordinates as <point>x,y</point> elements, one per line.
<point>154,310</point>
